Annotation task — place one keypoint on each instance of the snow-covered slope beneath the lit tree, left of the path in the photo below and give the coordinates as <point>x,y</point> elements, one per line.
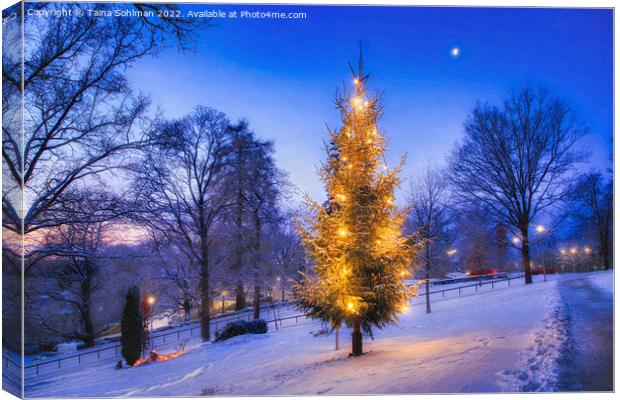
<point>509,339</point>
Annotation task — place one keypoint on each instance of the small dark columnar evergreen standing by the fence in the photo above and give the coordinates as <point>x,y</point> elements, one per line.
<point>131,327</point>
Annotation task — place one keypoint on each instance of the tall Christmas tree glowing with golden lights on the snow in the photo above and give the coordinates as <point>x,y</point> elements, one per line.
<point>355,239</point>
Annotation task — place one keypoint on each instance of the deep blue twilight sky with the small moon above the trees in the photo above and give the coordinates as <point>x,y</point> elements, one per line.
<point>282,74</point>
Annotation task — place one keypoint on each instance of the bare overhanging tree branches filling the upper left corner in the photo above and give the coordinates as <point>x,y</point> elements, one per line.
<point>79,113</point>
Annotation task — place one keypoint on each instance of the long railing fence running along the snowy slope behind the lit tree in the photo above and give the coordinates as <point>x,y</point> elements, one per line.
<point>188,333</point>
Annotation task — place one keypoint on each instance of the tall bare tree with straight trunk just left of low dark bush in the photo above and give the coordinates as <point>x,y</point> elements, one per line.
<point>180,192</point>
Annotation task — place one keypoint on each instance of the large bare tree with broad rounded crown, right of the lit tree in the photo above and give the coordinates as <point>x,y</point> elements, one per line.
<point>515,160</point>
